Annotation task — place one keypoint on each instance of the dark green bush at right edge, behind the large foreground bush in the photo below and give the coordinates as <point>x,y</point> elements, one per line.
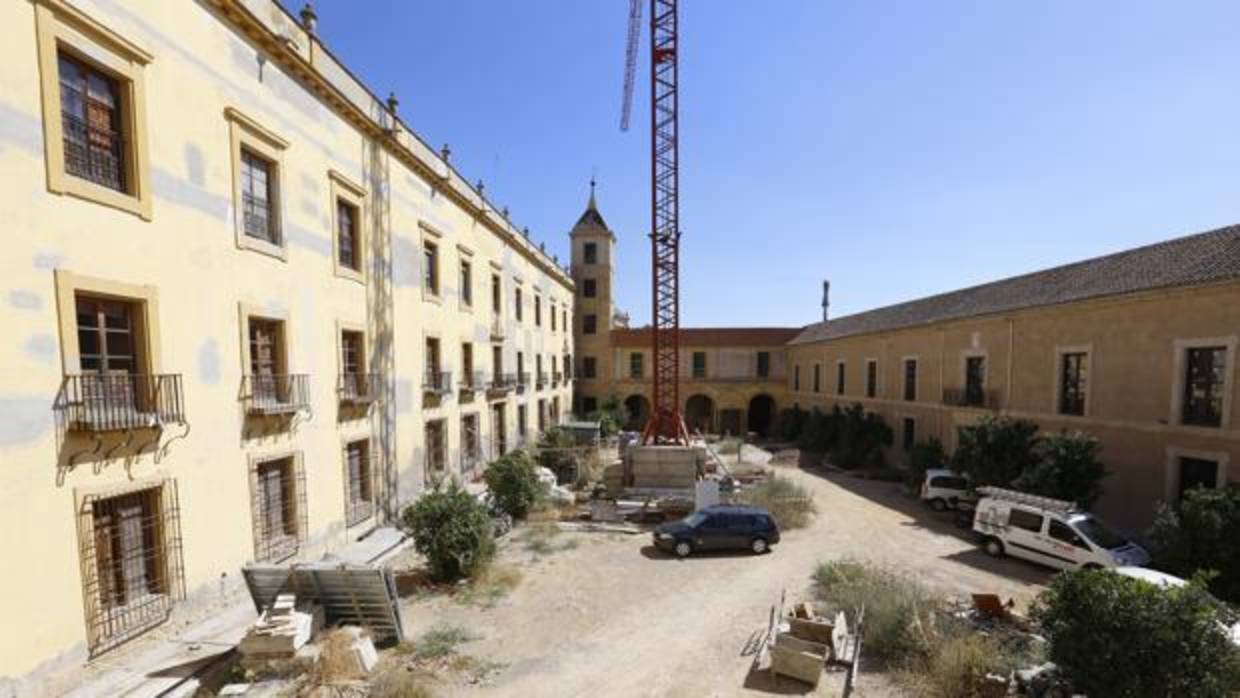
<point>1202,537</point>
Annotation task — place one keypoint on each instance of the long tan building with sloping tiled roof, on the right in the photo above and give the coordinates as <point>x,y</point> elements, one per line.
<point>1138,349</point>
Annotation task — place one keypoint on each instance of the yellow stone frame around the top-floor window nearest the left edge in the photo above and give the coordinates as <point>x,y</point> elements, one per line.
<point>63,27</point>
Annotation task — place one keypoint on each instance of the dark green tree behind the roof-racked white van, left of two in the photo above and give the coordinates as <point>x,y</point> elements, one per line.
<point>996,451</point>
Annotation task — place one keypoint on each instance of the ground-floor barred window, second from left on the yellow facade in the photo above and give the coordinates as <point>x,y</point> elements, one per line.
<point>280,510</point>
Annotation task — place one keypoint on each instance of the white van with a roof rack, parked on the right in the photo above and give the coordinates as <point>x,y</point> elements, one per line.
<point>1051,532</point>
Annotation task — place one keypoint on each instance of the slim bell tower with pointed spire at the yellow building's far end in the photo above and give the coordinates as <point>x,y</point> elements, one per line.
<point>593,260</point>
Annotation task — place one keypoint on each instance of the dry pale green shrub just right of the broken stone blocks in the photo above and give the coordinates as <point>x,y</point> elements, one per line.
<point>898,609</point>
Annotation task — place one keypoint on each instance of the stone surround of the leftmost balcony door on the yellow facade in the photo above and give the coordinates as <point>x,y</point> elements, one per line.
<point>144,298</point>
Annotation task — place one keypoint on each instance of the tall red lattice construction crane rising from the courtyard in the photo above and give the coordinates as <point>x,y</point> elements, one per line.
<point>666,425</point>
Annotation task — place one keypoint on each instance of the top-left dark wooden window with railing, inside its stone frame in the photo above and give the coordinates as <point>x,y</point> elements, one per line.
<point>91,121</point>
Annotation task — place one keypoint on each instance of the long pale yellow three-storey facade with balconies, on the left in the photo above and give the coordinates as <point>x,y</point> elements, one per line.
<point>251,313</point>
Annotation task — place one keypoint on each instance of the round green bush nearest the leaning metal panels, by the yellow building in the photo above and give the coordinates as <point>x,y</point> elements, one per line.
<point>453,531</point>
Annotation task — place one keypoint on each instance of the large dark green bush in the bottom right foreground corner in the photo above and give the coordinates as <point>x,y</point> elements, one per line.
<point>1118,637</point>
